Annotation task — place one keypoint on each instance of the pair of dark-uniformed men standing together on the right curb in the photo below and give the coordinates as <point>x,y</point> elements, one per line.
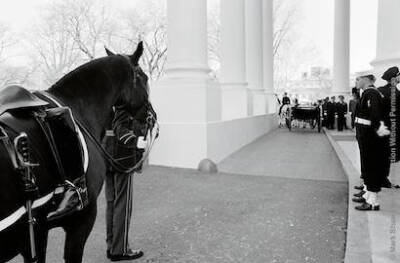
<point>377,120</point>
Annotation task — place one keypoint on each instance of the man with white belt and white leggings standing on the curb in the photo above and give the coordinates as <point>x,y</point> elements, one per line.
<point>370,129</point>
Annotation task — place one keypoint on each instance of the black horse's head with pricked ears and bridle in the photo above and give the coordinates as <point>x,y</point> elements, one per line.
<point>134,93</point>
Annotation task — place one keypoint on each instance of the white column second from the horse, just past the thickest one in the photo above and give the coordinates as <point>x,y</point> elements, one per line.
<point>233,60</point>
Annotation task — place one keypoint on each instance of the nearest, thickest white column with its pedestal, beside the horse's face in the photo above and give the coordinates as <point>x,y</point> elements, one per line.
<point>186,99</point>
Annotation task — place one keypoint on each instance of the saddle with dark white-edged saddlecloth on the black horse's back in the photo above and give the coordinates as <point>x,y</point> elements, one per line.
<point>23,111</point>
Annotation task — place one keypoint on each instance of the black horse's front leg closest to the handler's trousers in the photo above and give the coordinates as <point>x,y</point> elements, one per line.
<point>77,235</point>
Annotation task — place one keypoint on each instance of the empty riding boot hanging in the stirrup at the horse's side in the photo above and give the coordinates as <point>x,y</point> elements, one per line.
<point>75,199</point>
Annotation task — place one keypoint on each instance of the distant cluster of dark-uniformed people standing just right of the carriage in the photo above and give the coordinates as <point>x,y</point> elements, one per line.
<point>332,109</point>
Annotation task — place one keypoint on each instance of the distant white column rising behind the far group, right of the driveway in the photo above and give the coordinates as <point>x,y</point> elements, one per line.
<point>341,53</point>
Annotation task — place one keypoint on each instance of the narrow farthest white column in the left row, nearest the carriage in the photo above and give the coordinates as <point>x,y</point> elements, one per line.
<point>268,55</point>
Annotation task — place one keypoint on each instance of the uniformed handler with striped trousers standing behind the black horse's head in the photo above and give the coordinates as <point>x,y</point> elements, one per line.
<point>121,142</point>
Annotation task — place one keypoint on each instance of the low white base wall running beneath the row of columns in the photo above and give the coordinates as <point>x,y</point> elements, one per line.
<point>222,139</point>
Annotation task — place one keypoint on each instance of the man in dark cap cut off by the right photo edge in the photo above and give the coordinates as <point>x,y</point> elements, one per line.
<point>390,101</point>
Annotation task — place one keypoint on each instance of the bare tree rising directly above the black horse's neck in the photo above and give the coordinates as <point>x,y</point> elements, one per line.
<point>69,33</point>
